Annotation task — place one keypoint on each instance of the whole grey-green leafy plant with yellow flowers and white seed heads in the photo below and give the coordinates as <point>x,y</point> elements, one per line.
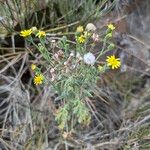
<point>73,73</point>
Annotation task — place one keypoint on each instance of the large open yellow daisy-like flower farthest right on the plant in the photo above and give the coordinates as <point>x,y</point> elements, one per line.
<point>113,62</point>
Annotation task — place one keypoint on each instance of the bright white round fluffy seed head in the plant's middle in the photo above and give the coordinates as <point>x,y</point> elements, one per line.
<point>89,58</point>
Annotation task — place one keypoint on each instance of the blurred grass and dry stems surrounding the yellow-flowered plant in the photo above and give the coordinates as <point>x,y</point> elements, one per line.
<point>121,104</point>
